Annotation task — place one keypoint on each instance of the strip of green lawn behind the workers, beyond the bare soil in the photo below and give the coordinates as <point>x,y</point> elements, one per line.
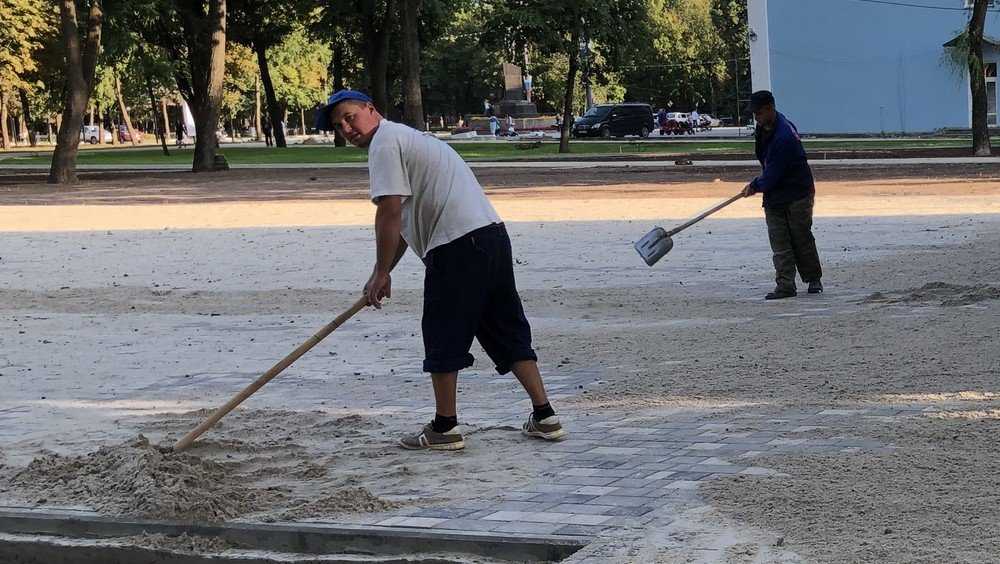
<point>472,151</point>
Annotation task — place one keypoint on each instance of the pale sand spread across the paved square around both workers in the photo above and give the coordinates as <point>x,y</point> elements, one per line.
<point>117,320</point>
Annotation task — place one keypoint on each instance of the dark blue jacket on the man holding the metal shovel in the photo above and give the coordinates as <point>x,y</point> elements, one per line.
<point>786,176</point>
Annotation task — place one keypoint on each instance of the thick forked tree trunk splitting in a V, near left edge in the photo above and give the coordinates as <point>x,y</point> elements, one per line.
<point>79,81</point>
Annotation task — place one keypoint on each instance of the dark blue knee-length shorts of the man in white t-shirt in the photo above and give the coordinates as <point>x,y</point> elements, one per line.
<point>469,292</point>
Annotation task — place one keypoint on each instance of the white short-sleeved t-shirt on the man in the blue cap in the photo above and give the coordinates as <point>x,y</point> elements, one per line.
<point>442,200</point>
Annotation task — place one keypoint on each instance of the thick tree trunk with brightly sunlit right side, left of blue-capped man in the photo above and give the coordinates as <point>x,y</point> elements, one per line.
<point>205,35</point>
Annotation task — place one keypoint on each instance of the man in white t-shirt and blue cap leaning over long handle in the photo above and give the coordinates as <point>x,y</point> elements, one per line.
<point>429,200</point>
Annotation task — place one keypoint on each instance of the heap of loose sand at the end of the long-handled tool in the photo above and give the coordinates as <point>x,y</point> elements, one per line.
<point>138,479</point>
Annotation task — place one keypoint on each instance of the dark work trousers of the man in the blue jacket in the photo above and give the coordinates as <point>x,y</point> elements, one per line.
<point>789,228</point>
